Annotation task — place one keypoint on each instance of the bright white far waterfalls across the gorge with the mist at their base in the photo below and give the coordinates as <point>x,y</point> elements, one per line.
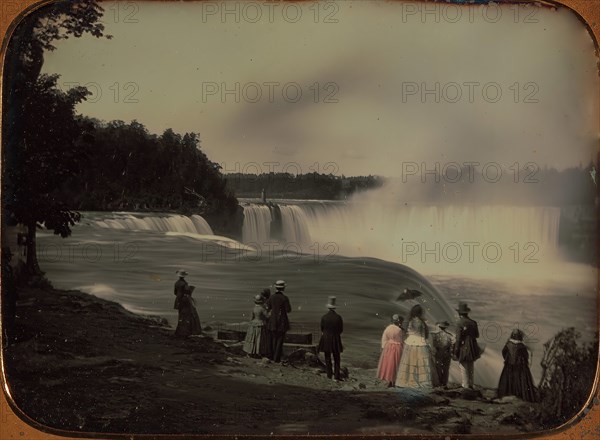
<point>467,239</point>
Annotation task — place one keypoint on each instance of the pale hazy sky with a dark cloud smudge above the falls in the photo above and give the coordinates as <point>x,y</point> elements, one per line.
<point>351,88</point>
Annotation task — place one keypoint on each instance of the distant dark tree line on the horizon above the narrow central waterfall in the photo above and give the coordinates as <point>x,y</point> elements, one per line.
<point>300,186</point>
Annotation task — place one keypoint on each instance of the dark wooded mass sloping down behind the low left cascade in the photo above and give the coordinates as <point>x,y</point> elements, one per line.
<point>130,168</point>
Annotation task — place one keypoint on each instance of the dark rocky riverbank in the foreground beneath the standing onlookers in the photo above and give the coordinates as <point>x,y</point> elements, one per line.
<point>80,363</point>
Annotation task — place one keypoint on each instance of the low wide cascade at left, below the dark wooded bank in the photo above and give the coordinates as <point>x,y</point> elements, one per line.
<point>173,223</point>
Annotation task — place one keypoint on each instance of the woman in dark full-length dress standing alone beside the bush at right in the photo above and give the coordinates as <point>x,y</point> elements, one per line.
<point>516,379</point>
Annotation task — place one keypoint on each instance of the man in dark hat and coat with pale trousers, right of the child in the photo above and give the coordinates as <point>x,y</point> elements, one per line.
<point>466,350</point>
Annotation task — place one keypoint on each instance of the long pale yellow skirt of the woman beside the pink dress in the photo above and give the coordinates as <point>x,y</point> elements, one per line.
<point>415,367</point>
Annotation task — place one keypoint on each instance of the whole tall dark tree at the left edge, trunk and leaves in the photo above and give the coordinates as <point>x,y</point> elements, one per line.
<point>42,138</point>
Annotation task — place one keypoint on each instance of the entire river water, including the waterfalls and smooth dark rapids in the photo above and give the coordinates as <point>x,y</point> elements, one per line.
<point>362,253</point>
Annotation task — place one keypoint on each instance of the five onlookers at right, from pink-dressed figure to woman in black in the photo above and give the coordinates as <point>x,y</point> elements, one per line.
<point>410,357</point>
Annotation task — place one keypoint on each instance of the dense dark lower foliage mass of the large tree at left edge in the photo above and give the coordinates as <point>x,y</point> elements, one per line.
<point>53,147</point>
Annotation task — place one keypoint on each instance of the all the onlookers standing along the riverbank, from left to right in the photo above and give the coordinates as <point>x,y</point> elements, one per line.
<point>410,356</point>
